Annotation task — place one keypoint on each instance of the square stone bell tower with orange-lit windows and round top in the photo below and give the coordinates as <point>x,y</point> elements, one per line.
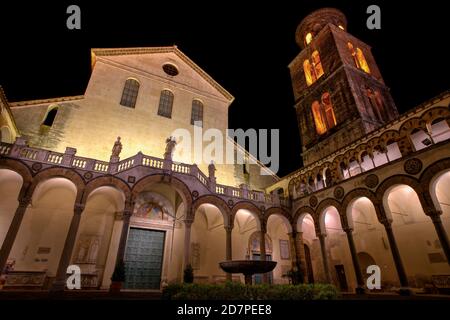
<point>339,92</point>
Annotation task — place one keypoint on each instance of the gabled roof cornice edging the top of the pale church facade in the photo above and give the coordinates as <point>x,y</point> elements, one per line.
<point>169,49</point>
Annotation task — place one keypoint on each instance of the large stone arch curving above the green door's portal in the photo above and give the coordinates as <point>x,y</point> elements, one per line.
<point>175,183</point>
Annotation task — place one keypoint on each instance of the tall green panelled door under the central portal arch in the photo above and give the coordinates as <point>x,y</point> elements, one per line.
<point>143,259</point>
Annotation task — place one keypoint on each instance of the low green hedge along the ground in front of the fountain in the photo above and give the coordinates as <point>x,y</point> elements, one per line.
<point>239,291</point>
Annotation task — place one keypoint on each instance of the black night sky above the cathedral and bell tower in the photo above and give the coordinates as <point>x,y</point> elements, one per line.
<point>246,48</point>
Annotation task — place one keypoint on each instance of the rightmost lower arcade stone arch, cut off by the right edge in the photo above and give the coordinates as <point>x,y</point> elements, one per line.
<point>428,180</point>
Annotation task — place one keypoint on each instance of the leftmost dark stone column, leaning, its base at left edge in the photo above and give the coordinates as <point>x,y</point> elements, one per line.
<point>12,231</point>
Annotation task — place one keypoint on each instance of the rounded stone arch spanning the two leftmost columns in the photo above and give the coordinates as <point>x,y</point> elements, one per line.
<point>55,172</point>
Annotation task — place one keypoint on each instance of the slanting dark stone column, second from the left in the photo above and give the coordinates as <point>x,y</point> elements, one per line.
<point>61,274</point>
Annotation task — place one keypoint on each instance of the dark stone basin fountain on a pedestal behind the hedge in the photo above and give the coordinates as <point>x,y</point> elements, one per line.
<point>247,267</point>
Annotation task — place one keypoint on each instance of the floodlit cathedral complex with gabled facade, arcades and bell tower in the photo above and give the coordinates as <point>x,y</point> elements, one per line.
<point>78,187</point>
